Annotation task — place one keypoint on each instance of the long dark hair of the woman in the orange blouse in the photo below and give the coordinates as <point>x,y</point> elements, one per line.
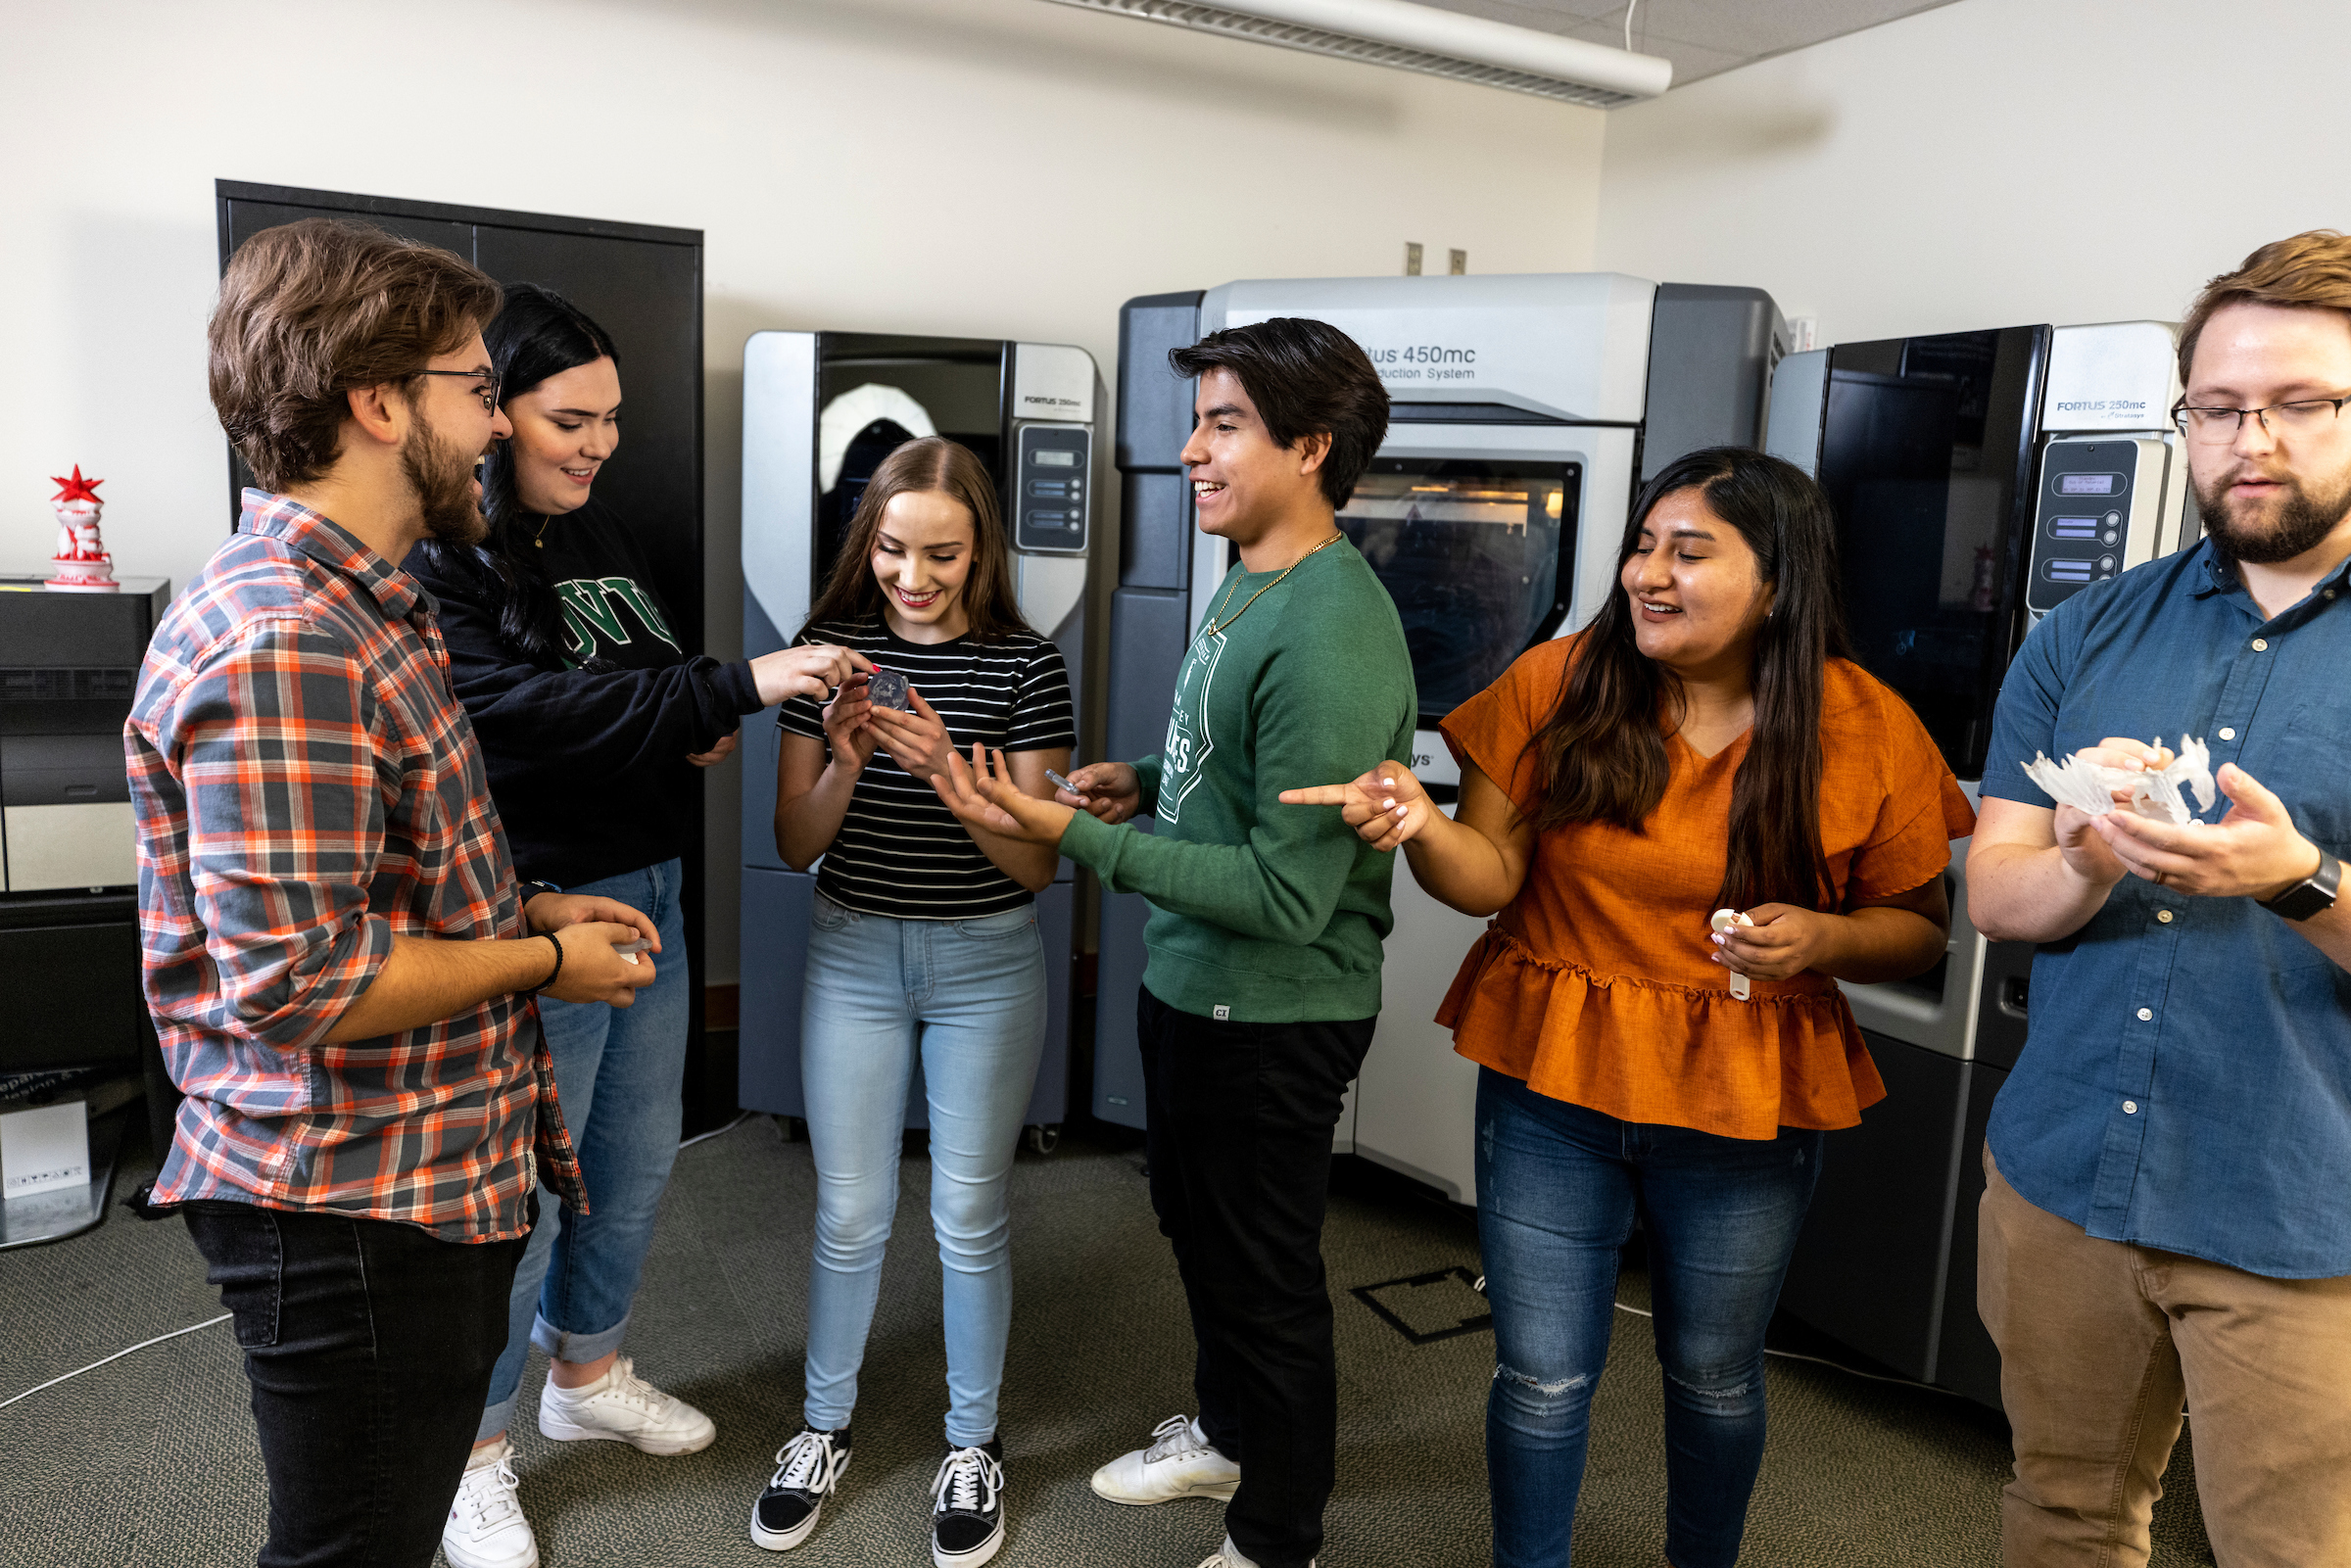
<point>1602,753</point>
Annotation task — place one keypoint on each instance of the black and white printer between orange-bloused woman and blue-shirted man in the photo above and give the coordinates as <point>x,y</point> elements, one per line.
<point>1978,478</point>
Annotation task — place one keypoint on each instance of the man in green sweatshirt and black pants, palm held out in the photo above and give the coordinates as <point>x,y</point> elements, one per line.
<point>1264,977</point>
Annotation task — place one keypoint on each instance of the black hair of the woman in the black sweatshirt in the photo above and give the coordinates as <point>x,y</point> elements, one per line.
<point>535,335</point>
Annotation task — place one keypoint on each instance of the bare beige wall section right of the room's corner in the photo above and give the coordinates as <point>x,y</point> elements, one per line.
<point>1990,163</point>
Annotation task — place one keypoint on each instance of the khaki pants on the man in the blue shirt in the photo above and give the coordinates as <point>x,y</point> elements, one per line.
<point>2101,1341</point>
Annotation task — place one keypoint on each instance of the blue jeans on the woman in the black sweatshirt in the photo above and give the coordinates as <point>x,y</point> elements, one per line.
<point>619,1078</point>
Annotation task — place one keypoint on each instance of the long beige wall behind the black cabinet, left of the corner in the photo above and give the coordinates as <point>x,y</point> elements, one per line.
<point>996,168</point>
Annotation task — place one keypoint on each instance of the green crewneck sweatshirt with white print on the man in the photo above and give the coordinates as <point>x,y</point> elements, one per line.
<point>1268,913</point>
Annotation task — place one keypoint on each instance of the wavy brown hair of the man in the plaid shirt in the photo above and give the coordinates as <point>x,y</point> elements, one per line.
<point>316,309</point>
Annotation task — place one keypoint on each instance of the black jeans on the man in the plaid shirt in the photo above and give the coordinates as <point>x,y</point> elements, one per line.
<point>368,1348</point>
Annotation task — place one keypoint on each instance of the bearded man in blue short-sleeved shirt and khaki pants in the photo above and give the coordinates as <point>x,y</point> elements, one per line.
<point>2169,1207</point>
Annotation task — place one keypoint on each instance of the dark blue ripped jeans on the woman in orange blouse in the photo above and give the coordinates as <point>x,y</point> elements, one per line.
<point>1558,1191</point>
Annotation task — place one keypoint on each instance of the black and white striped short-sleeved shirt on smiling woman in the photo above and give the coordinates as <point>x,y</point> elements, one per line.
<point>899,850</point>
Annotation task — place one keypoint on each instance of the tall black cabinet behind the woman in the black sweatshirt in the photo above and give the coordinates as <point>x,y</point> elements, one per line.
<point>645,288</point>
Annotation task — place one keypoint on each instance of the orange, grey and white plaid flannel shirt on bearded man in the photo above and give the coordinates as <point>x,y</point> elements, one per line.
<point>309,789</point>
